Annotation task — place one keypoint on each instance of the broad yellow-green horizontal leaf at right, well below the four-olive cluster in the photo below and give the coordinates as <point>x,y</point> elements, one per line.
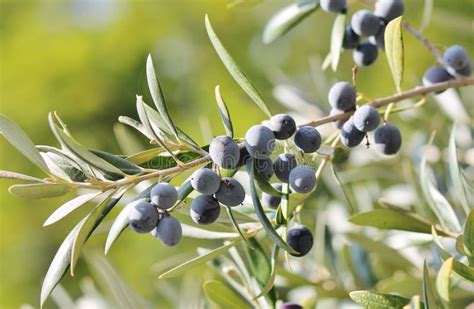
<point>389,219</point>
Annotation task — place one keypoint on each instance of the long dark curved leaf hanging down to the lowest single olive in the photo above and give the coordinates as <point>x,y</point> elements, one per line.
<point>261,213</point>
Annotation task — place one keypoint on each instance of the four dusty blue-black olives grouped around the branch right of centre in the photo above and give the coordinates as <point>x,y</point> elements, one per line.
<point>342,98</point>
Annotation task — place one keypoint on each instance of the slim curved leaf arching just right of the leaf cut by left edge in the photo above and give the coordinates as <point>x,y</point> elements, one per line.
<point>73,146</point>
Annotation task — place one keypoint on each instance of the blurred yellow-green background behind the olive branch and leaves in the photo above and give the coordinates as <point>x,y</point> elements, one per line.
<point>85,59</point>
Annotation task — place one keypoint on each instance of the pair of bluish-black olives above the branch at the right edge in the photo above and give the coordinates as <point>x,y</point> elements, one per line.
<point>456,62</point>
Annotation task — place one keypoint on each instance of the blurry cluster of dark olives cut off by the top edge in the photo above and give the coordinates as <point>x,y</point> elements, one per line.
<point>364,23</point>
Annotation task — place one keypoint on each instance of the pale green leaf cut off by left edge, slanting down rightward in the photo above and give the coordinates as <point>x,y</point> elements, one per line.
<point>18,138</point>
